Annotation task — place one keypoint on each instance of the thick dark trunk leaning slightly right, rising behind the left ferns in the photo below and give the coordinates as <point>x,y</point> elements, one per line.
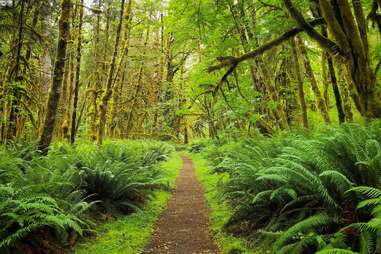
<point>54,94</point>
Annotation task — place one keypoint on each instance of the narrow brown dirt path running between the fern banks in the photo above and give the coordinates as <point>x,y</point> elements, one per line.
<point>183,228</point>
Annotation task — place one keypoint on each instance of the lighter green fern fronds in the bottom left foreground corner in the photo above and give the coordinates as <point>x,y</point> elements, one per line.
<point>23,213</point>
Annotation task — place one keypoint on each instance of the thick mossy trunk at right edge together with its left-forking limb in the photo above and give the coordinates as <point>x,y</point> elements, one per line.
<point>348,27</point>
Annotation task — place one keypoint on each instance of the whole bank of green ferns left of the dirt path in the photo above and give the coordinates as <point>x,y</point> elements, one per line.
<point>59,195</point>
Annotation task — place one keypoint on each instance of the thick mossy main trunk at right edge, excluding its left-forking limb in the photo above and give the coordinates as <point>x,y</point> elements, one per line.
<point>349,30</point>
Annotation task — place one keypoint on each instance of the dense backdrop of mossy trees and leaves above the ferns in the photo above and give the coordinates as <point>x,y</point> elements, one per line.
<point>170,70</point>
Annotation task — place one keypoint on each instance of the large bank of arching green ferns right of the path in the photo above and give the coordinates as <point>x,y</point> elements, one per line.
<point>306,193</point>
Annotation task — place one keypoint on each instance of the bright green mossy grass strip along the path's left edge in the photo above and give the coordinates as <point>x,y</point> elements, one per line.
<point>131,233</point>
